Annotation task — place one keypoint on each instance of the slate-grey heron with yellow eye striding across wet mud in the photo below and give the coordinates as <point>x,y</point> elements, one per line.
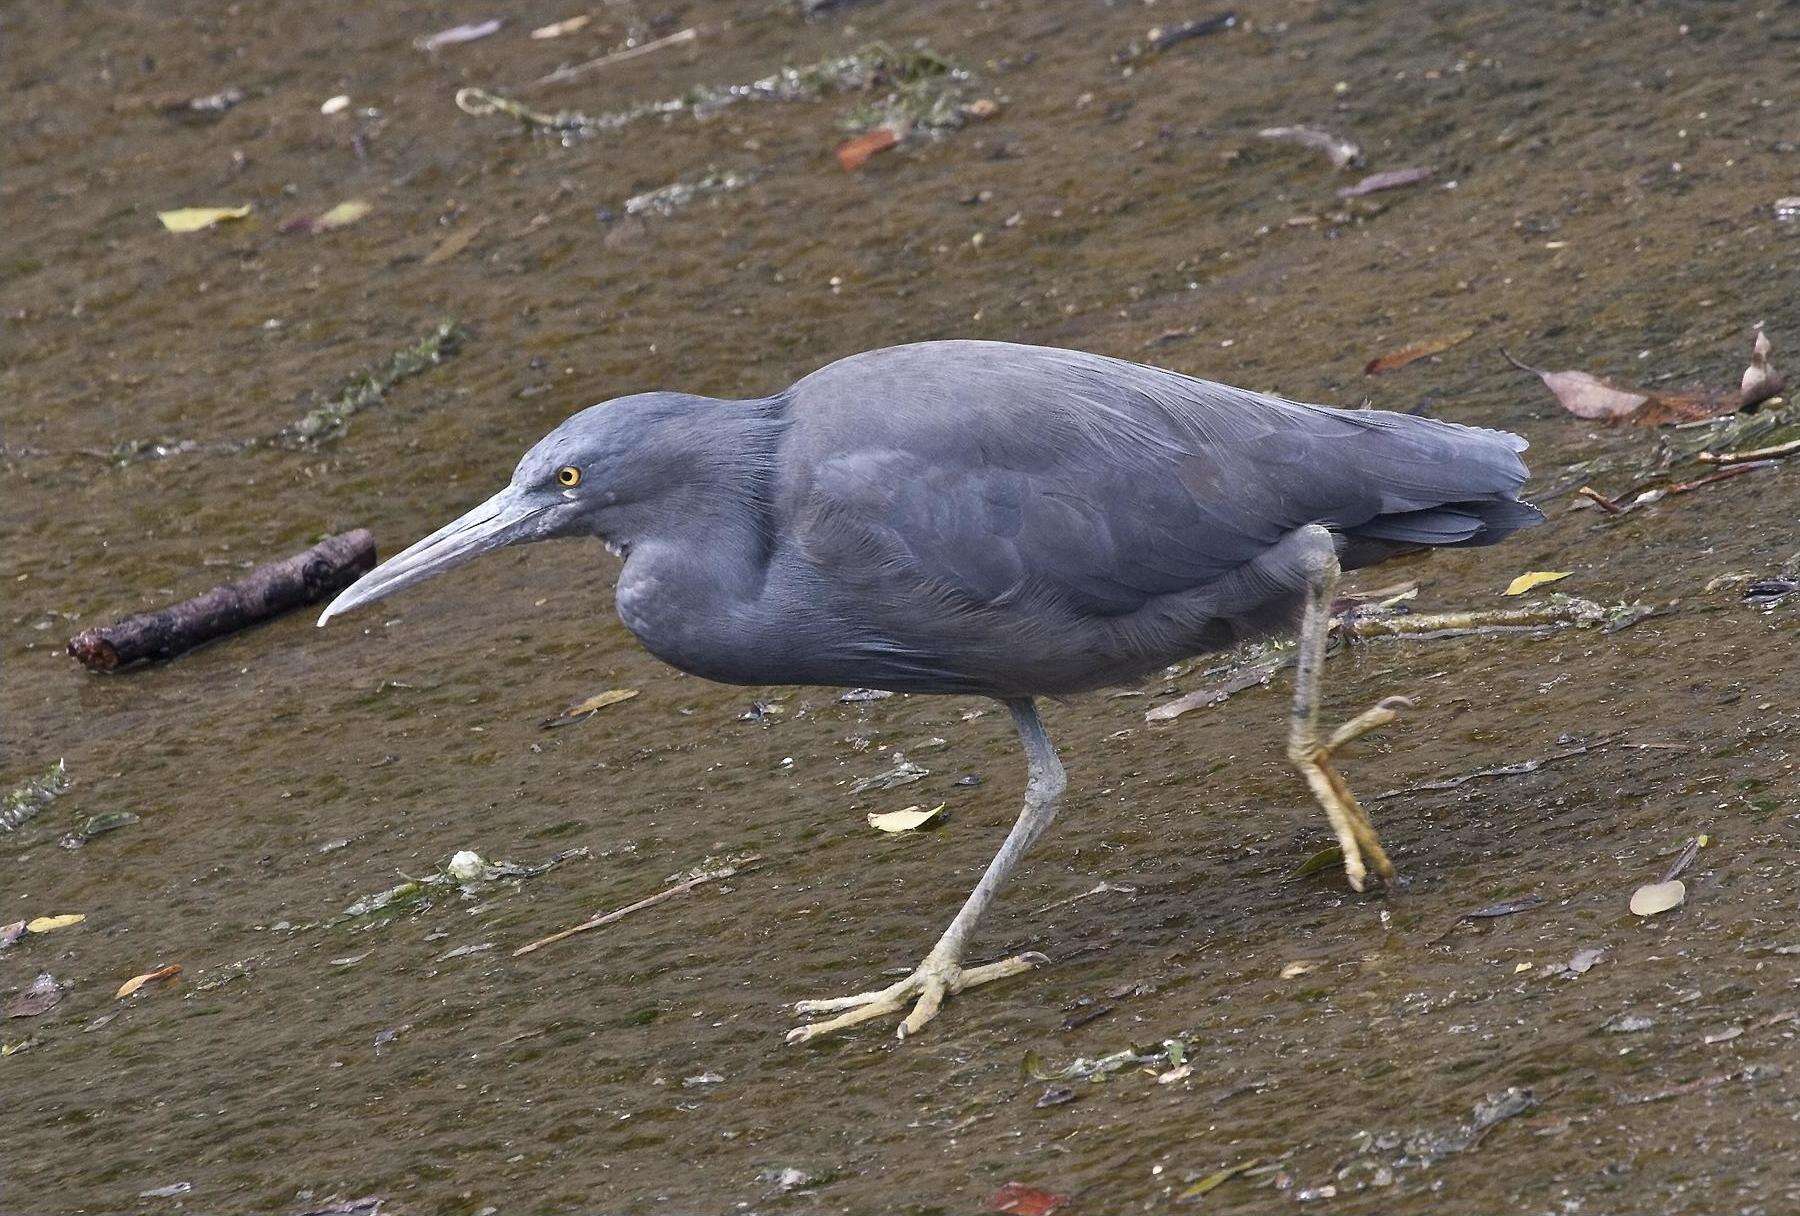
<point>996,521</point>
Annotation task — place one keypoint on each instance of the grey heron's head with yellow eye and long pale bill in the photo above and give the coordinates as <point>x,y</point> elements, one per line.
<point>595,476</point>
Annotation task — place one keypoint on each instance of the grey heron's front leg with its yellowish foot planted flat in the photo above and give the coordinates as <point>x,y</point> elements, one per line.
<point>942,974</point>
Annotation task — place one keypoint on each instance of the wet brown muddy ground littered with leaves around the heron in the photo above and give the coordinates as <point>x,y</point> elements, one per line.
<point>1603,199</point>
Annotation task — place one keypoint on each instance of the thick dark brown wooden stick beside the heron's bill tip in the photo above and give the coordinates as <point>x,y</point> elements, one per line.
<point>269,591</point>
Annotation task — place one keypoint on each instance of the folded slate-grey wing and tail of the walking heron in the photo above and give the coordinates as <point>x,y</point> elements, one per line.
<point>994,470</point>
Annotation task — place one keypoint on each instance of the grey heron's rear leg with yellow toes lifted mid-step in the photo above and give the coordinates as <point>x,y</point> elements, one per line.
<point>1309,753</point>
